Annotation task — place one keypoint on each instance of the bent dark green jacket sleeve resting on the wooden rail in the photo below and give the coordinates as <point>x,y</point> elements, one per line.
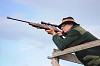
<point>63,43</point>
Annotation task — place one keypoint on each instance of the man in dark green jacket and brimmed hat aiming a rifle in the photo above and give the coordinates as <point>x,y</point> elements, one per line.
<point>72,34</point>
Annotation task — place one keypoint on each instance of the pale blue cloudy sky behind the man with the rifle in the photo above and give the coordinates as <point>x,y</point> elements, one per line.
<point>24,45</point>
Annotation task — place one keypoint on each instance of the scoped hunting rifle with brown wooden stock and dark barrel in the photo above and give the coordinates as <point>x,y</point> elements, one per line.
<point>43,25</point>
